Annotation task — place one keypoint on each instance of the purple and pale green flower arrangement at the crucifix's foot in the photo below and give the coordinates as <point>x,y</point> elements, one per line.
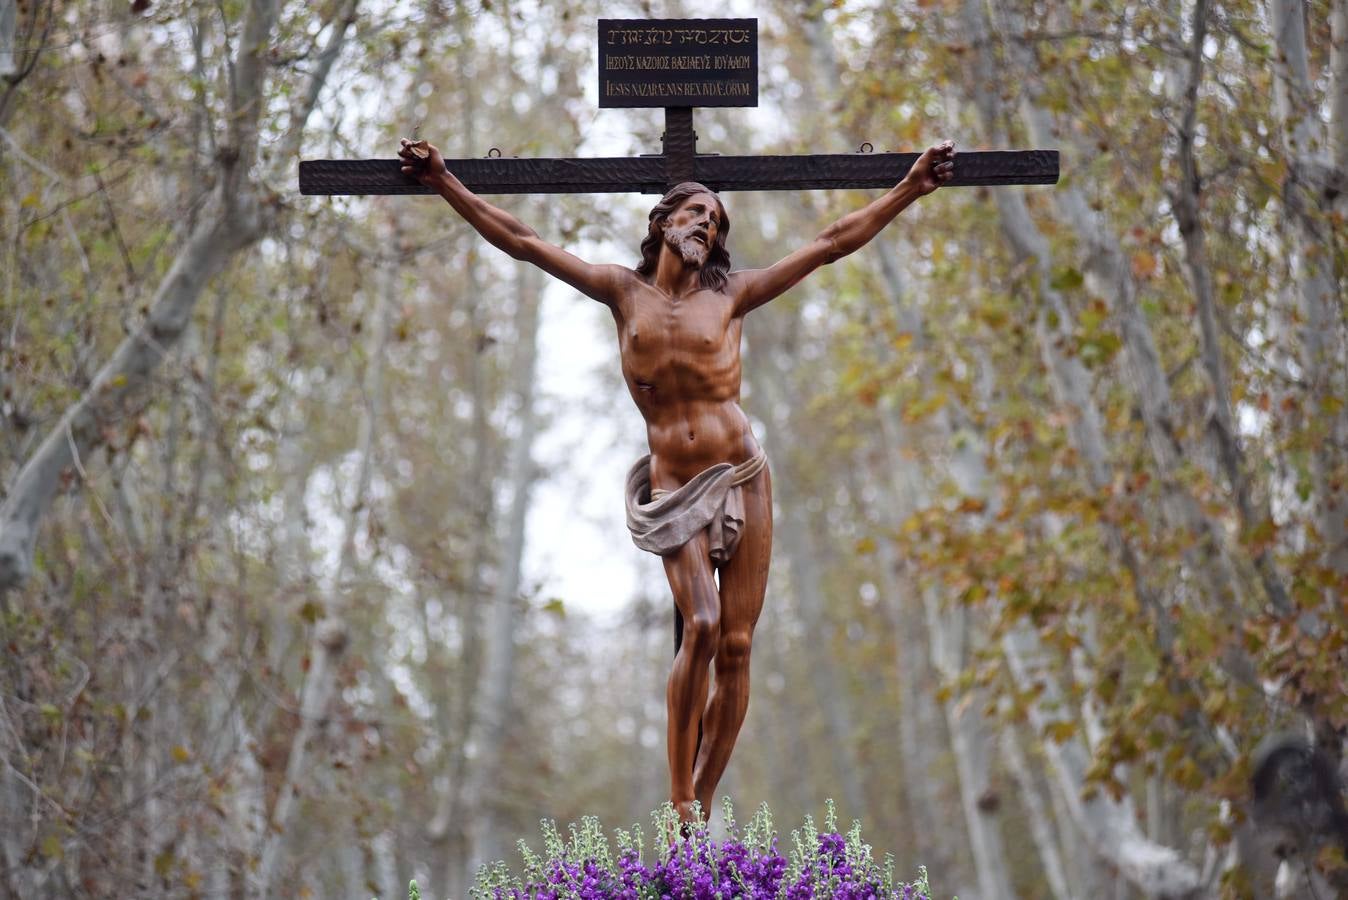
<point>690,866</point>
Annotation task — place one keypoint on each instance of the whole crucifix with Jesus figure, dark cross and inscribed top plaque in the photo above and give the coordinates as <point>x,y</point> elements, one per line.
<point>703,498</point>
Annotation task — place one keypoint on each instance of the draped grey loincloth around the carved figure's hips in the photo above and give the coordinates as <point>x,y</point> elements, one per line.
<point>664,521</point>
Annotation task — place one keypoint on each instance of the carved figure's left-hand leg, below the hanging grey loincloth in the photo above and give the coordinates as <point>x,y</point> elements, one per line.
<point>690,572</point>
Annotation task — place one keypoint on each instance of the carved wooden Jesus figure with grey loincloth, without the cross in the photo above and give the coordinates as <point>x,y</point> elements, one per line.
<point>703,499</point>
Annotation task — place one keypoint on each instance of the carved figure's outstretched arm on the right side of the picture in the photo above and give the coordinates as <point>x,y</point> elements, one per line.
<point>756,288</point>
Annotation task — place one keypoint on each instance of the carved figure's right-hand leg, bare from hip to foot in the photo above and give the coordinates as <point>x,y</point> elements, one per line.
<point>743,585</point>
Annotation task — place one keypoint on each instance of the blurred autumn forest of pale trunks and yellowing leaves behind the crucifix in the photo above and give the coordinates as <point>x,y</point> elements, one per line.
<point>1062,472</point>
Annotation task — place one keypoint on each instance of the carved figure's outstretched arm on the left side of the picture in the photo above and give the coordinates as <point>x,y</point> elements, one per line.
<point>425,164</point>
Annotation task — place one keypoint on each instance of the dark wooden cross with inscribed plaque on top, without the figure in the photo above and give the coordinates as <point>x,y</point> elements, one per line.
<point>676,64</point>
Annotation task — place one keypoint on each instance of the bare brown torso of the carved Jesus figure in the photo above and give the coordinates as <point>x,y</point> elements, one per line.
<point>681,362</point>
